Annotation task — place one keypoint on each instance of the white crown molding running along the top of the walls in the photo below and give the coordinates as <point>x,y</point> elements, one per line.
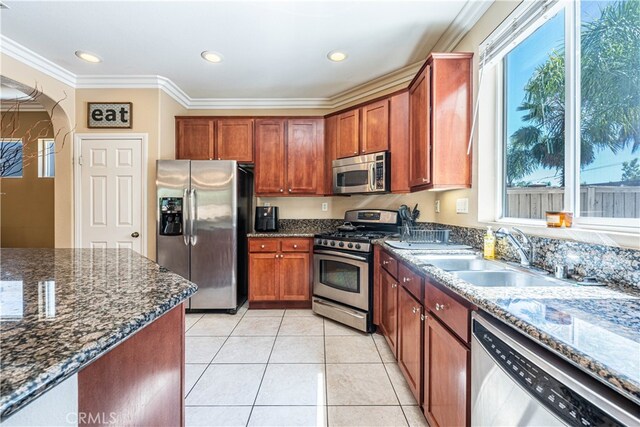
<point>464,21</point>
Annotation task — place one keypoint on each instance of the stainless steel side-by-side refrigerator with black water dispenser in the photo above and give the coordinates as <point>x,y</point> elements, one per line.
<point>203,217</point>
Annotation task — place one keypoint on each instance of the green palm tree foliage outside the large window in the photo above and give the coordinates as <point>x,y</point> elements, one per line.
<point>610,97</point>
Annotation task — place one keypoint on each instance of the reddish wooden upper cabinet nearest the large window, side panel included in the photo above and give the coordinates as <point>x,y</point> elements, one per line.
<point>440,123</point>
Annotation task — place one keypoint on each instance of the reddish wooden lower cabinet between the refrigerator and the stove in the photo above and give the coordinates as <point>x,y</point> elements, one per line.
<point>279,273</point>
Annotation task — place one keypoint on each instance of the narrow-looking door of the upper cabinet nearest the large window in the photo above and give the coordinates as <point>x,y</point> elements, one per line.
<point>419,130</point>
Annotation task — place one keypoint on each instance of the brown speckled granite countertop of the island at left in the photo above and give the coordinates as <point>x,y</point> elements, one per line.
<point>60,309</point>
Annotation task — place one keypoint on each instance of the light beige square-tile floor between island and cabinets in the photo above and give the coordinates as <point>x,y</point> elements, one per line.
<point>291,368</point>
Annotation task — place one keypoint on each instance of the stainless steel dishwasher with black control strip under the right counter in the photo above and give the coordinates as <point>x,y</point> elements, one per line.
<point>515,381</point>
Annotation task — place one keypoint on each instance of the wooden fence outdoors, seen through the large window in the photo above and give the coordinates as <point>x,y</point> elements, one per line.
<point>595,201</point>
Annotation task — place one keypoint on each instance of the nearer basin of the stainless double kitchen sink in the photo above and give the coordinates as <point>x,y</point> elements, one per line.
<point>513,279</point>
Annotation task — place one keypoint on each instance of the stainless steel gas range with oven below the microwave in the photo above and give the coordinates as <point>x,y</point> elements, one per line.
<point>343,267</point>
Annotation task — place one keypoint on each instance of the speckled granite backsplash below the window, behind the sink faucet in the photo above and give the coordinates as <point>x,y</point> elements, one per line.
<point>607,264</point>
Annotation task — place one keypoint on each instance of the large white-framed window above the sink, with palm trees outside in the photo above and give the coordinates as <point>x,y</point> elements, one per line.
<point>570,117</point>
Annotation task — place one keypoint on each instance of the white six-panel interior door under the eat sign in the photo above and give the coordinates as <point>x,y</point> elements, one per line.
<point>111,179</point>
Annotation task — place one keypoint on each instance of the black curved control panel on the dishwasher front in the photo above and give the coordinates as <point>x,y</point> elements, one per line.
<point>566,404</point>
